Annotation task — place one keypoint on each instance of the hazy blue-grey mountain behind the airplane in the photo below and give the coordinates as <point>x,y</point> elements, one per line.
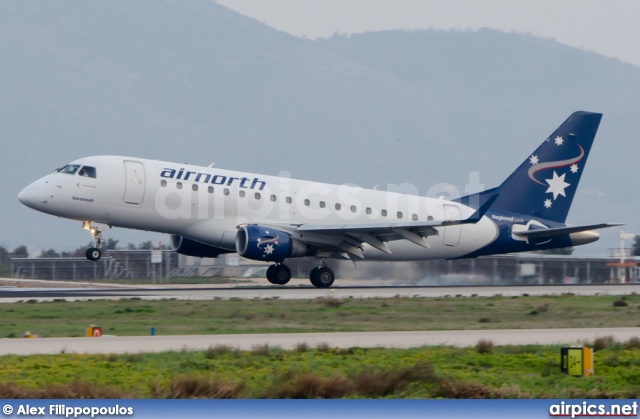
<point>194,81</point>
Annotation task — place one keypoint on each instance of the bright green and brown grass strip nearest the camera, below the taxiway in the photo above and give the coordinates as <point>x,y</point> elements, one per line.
<point>223,372</point>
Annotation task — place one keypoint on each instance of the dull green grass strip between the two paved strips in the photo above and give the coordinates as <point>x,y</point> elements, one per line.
<point>169,317</point>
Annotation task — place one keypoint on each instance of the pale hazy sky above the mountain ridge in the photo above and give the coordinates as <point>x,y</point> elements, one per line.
<point>607,27</point>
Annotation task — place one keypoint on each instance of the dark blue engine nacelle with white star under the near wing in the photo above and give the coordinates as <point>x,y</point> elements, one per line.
<point>268,244</point>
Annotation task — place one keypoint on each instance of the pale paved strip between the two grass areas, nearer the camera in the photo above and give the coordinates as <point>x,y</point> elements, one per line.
<point>136,344</point>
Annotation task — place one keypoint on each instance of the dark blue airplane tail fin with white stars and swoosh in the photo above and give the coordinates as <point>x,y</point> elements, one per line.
<point>544,185</point>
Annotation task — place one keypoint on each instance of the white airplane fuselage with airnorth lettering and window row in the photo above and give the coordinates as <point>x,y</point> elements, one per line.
<point>207,204</point>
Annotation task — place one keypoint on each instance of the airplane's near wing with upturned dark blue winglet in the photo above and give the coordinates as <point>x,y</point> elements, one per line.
<point>345,240</point>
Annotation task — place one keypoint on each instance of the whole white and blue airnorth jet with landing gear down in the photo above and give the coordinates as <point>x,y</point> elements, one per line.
<point>208,211</point>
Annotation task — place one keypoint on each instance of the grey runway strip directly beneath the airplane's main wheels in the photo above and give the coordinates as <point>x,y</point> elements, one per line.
<point>8,294</point>
